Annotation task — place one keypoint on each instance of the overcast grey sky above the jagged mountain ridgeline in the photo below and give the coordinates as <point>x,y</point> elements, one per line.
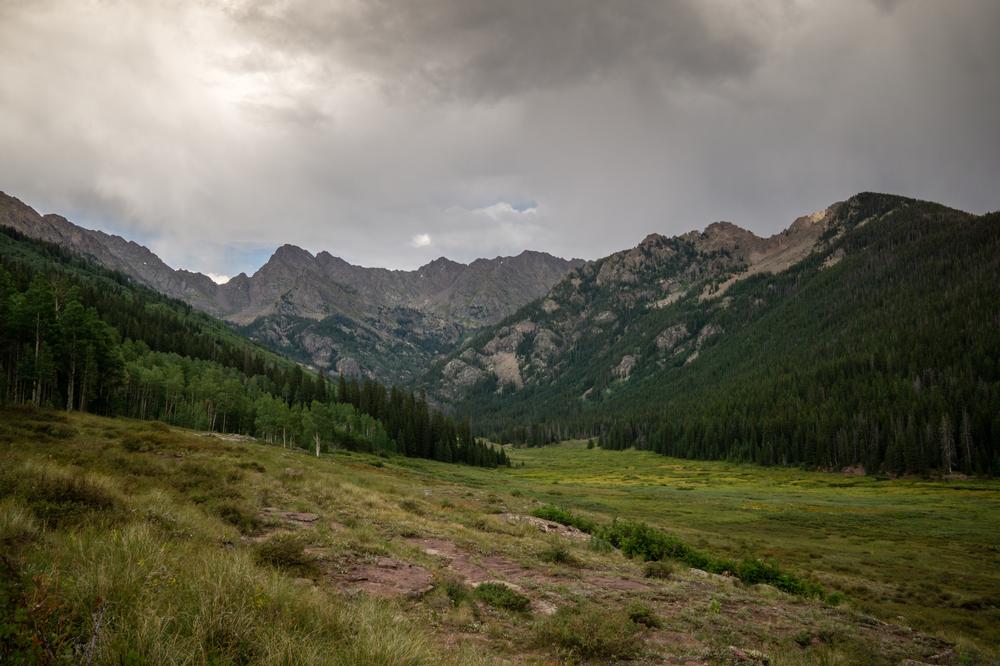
<point>392,133</point>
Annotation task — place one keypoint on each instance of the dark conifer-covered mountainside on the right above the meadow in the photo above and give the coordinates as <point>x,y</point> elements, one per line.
<point>881,347</point>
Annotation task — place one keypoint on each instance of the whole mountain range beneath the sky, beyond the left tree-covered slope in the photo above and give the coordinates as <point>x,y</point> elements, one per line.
<point>865,333</point>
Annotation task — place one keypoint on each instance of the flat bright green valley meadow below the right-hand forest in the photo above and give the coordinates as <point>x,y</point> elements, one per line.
<point>926,551</point>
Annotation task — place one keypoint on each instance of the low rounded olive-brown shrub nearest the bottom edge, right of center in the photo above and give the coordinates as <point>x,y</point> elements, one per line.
<point>589,631</point>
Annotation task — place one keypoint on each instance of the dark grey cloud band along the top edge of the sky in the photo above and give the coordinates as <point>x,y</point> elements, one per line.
<point>488,50</point>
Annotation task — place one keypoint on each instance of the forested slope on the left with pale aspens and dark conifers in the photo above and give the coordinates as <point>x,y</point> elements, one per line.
<point>79,337</point>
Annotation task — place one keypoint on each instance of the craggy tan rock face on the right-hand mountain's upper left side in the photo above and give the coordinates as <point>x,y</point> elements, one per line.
<point>635,312</point>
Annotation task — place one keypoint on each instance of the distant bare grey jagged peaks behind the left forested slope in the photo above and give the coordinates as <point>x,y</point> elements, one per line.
<point>322,310</point>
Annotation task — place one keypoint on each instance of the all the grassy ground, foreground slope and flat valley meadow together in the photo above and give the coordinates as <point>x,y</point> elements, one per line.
<point>164,553</point>
